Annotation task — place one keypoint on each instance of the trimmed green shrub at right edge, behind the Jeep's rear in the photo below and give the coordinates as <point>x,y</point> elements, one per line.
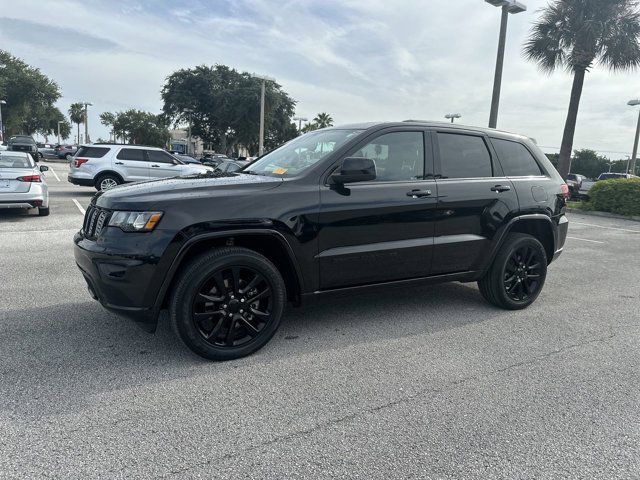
<point>620,195</point>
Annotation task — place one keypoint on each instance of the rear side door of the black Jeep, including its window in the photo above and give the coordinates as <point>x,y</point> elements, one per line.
<point>475,199</point>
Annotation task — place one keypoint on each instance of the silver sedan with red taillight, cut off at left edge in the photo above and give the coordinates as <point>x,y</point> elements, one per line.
<point>22,184</point>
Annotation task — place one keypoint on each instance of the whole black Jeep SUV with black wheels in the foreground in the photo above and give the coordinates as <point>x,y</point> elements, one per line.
<point>339,208</point>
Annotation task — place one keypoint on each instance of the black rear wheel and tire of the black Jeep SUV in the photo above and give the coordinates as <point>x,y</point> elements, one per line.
<point>516,276</point>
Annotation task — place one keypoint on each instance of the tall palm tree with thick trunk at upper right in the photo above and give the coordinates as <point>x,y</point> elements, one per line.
<point>576,35</point>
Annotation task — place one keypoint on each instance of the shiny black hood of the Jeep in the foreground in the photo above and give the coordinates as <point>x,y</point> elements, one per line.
<point>146,195</point>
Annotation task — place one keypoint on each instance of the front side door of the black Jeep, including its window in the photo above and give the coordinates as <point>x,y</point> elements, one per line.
<point>380,230</point>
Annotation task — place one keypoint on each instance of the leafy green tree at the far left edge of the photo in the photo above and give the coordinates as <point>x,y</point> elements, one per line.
<point>30,96</point>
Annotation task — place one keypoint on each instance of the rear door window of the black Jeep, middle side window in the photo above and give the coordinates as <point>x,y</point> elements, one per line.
<point>463,156</point>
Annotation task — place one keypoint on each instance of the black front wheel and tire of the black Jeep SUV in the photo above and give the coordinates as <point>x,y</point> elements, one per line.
<point>209,319</point>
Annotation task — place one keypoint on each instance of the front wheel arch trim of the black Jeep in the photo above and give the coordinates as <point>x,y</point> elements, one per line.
<point>269,243</point>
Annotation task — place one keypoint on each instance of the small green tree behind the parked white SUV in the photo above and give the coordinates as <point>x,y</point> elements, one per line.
<point>138,127</point>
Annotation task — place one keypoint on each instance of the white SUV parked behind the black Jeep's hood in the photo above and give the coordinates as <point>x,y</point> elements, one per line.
<point>104,166</point>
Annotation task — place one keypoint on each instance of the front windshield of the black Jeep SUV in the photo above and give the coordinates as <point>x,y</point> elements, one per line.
<point>301,153</point>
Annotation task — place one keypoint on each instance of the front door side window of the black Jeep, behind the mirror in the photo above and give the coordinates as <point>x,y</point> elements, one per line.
<point>398,156</point>
